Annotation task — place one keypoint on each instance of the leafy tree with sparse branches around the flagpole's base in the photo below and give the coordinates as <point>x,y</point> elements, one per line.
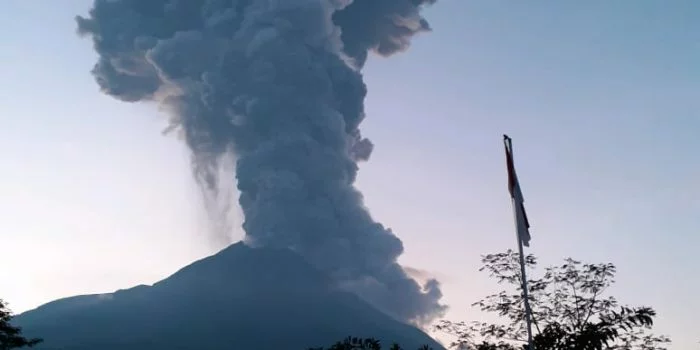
<point>570,310</point>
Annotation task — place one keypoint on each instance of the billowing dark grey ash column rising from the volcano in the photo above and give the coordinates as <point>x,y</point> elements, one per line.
<point>276,83</point>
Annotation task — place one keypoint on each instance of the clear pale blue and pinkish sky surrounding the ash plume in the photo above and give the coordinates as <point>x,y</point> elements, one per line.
<point>601,98</point>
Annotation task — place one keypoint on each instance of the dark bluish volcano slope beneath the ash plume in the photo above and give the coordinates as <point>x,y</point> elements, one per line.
<point>240,298</point>
